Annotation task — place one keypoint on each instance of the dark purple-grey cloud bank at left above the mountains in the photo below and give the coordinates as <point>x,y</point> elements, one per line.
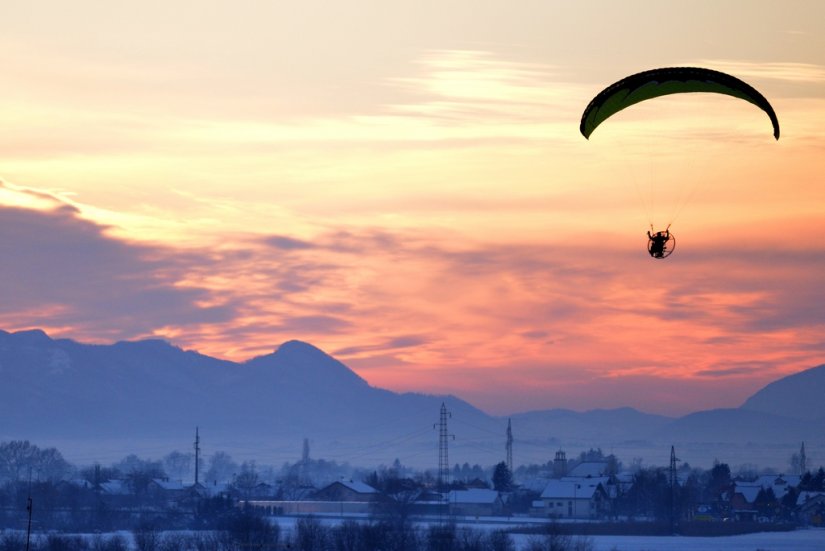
<point>67,273</point>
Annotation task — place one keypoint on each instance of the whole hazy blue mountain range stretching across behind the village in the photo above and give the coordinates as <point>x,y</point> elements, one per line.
<point>103,402</point>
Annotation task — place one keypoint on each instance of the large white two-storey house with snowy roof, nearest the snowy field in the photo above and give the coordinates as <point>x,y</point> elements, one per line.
<point>582,498</point>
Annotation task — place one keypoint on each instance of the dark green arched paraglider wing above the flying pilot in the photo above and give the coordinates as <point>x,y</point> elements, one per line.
<point>669,80</point>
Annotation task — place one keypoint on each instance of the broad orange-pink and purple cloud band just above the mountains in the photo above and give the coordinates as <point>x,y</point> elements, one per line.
<point>551,314</point>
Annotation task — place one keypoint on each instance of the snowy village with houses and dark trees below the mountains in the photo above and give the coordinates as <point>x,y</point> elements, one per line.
<point>591,488</point>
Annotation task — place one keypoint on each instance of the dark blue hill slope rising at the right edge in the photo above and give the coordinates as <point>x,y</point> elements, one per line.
<point>801,396</point>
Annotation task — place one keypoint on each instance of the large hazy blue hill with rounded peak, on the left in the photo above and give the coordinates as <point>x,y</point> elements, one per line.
<point>151,395</point>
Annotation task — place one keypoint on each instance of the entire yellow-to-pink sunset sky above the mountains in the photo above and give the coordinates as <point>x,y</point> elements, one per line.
<point>404,185</point>
